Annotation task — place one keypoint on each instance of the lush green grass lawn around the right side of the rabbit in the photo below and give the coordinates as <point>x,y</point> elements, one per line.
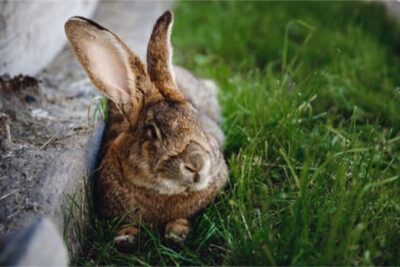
<point>311,100</point>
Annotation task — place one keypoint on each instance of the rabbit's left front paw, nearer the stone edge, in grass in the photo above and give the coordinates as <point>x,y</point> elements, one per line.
<point>126,239</point>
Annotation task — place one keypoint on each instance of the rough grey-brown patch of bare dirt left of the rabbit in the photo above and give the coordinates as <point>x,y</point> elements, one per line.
<point>46,117</point>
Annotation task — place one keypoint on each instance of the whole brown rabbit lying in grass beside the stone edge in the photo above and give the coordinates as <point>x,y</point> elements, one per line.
<point>161,160</point>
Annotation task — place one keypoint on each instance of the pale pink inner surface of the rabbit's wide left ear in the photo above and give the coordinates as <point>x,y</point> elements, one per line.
<point>108,65</point>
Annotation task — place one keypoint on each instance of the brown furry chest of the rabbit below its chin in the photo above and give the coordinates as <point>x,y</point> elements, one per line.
<point>146,205</point>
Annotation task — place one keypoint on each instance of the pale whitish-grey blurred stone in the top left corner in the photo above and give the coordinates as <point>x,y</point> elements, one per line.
<point>27,27</point>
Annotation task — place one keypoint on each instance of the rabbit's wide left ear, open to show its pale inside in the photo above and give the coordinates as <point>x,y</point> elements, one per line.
<point>115,70</point>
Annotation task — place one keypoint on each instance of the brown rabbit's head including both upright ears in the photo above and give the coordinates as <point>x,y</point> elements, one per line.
<point>164,148</point>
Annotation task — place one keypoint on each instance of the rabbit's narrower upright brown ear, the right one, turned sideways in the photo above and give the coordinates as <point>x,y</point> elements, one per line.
<point>159,58</point>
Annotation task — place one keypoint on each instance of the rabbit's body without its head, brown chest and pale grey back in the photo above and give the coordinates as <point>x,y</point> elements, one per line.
<point>115,197</point>
